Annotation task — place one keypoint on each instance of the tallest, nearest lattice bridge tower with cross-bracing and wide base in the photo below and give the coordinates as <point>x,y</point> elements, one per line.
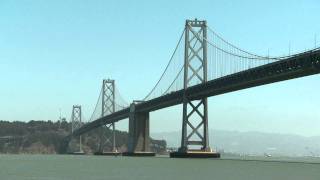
<point>195,111</point>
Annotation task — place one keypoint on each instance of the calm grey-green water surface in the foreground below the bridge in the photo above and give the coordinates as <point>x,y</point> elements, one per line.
<point>53,167</point>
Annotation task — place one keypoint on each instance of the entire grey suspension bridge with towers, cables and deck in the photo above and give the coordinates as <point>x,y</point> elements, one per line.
<point>202,65</point>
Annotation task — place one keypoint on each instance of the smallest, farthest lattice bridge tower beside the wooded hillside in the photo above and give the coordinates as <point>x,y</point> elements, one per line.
<point>76,122</point>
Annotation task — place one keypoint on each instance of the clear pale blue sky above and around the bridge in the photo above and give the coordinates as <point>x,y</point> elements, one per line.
<point>54,54</point>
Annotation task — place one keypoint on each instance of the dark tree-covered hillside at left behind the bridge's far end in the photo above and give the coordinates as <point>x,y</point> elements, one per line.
<point>44,137</point>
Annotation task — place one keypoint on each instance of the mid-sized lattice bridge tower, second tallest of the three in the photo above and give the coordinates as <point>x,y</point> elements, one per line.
<point>108,107</point>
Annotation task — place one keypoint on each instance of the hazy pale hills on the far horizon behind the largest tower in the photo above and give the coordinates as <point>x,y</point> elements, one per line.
<point>255,143</point>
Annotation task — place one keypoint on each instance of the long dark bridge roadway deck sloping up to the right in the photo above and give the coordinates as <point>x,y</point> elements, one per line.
<point>299,65</point>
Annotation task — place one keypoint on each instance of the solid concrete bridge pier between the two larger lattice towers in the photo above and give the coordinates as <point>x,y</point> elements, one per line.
<point>139,139</point>
